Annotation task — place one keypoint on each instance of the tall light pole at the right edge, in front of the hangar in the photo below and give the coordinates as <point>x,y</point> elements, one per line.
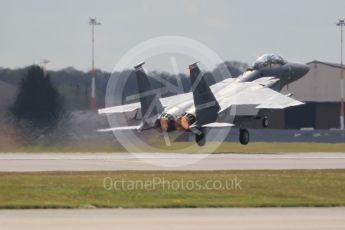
<point>341,23</point>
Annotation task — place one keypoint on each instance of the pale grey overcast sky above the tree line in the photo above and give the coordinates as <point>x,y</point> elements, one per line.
<point>58,30</point>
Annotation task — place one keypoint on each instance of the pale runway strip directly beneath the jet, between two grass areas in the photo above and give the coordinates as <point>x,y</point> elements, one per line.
<point>30,162</point>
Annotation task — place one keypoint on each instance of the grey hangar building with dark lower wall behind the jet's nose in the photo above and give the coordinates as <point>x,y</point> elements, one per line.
<point>320,90</point>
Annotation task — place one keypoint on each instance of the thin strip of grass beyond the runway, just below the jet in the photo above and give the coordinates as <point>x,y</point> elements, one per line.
<point>226,147</point>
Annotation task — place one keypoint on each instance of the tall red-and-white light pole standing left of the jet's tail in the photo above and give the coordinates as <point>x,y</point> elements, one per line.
<point>93,22</point>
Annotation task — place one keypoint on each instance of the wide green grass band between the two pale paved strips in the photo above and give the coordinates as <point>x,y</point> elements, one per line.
<point>259,188</point>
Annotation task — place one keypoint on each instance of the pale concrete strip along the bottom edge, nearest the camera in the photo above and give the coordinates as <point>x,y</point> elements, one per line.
<point>127,219</point>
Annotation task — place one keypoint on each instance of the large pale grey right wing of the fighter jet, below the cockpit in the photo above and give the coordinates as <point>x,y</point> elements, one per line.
<point>256,94</point>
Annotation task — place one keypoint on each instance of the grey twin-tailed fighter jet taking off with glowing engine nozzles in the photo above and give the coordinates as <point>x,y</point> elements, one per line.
<point>229,103</point>
